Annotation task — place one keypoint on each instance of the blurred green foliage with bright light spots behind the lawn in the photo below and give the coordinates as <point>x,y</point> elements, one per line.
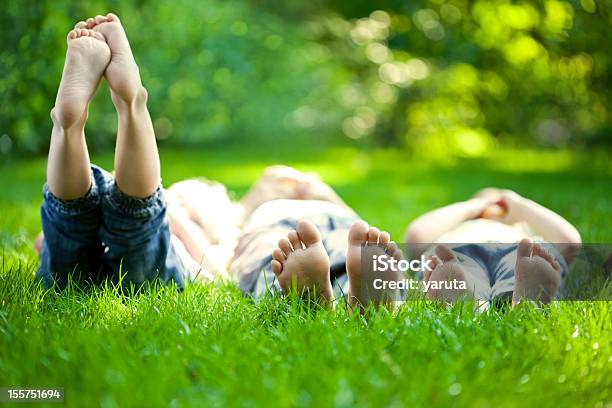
<point>431,74</point>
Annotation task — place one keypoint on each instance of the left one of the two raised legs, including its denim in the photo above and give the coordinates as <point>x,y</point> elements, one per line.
<point>70,212</point>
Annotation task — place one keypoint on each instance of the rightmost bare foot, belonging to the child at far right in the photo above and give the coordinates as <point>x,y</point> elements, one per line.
<point>537,274</point>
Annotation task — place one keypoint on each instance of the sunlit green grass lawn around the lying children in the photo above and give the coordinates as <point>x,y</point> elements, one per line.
<point>210,346</point>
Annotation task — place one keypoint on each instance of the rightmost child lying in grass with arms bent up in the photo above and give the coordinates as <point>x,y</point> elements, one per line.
<point>493,248</point>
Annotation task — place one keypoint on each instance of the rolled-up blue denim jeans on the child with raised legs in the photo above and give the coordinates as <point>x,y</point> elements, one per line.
<point>107,235</point>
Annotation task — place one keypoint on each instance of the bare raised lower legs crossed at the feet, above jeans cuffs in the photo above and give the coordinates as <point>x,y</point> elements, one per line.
<point>98,47</point>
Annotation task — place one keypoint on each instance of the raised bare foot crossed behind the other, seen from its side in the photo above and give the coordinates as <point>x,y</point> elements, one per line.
<point>122,73</point>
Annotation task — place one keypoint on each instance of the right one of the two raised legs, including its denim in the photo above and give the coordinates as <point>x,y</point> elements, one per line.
<point>135,229</point>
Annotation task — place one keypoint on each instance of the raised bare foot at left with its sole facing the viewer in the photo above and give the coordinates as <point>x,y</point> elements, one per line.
<point>86,59</point>
